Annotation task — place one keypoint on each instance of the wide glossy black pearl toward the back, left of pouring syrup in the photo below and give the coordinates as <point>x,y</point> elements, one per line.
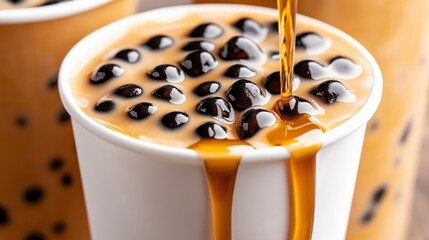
<point>241,48</point>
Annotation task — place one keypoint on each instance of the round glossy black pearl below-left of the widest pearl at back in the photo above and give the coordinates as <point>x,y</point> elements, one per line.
<point>198,63</point>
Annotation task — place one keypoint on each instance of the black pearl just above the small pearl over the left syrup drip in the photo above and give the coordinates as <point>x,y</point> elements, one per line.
<point>217,108</point>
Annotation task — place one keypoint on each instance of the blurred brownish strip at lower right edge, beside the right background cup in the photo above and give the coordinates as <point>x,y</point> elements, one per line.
<point>419,228</point>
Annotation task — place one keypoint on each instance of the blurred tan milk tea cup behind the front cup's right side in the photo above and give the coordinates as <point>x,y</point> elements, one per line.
<point>396,33</point>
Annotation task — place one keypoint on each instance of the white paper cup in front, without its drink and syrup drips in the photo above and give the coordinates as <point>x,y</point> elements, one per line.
<point>140,190</point>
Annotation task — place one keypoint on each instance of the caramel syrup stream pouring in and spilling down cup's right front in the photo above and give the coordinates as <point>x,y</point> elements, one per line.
<point>301,167</point>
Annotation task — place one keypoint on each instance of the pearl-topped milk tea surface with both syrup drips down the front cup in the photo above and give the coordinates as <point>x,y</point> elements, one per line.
<point>211,83</point>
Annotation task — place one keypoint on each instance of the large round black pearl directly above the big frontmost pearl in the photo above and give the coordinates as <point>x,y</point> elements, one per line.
<point>244,94</point>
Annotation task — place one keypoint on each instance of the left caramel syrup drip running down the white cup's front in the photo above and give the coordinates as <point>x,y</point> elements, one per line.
<point>221,161</point>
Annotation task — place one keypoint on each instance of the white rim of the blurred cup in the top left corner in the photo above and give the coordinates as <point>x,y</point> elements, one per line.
<point>50,12</point>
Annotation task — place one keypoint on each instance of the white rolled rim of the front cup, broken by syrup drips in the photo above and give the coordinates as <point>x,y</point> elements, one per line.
<point>139,146</point>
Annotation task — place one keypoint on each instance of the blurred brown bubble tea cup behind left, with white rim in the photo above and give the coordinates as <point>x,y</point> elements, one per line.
<point>40,189</point>
